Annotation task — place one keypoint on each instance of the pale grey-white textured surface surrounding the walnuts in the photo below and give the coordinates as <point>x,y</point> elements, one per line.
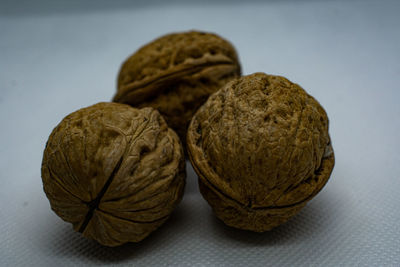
<point>58,57</point>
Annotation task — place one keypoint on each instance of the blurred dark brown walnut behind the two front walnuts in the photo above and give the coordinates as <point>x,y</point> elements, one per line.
<point>176,73</point>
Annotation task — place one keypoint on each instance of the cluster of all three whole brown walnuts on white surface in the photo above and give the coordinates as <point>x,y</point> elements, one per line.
<point>259,144</point>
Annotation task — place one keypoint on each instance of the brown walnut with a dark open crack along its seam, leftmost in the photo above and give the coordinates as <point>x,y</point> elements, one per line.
<point>114,172</point>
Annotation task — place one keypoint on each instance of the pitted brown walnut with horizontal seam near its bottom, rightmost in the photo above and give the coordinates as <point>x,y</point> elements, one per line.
<point>261,148</point>
